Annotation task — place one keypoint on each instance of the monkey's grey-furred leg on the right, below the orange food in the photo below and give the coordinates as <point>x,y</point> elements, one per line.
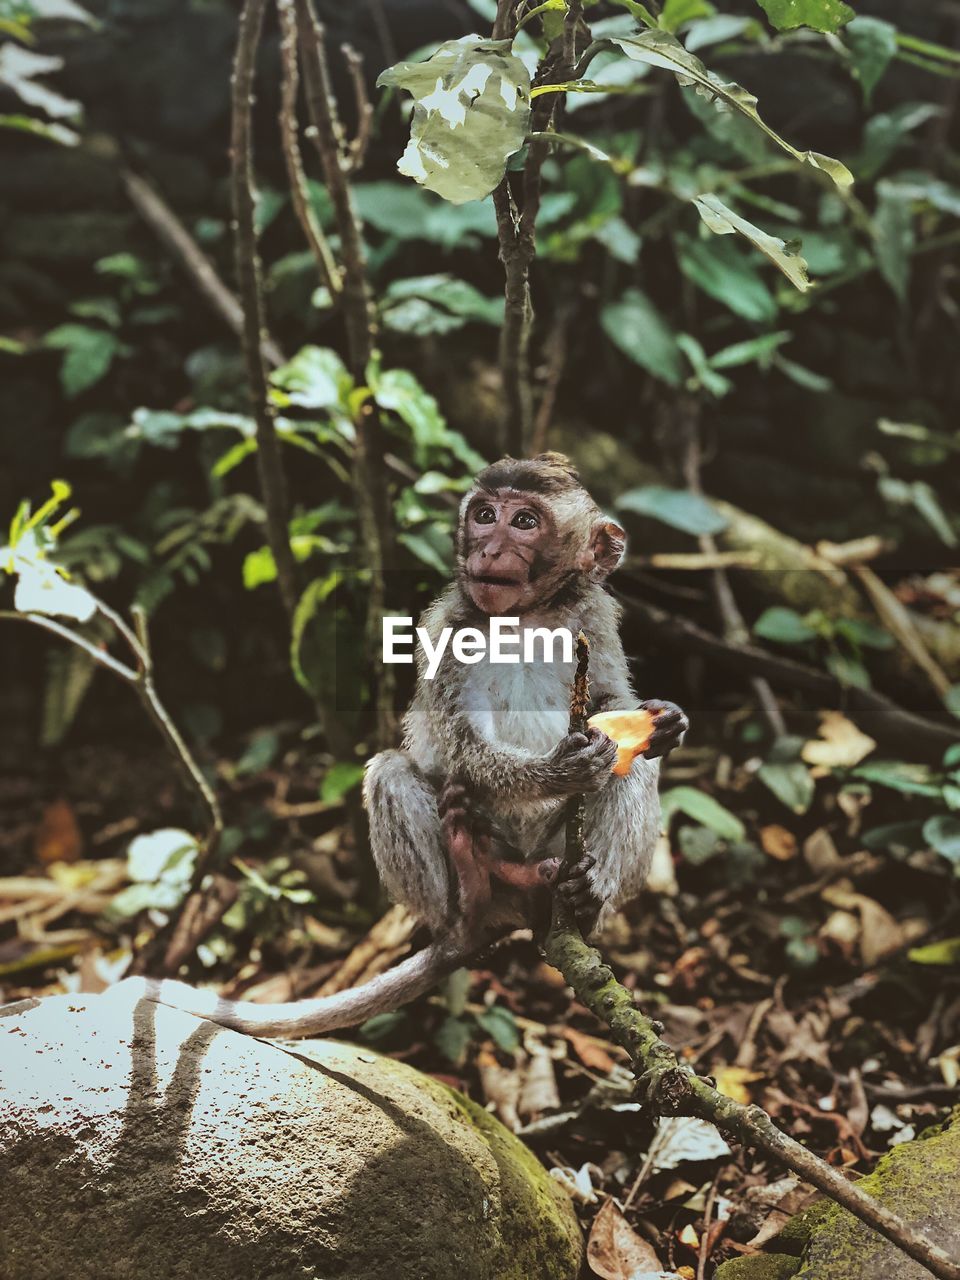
<point>621,828</point>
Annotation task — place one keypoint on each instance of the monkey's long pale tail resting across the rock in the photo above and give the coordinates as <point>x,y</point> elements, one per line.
<point>388,991</point>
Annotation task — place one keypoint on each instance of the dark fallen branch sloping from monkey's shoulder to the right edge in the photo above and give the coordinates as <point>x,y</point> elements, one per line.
<point>876,714</point>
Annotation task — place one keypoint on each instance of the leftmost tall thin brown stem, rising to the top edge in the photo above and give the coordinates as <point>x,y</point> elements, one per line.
<point>273,483</point>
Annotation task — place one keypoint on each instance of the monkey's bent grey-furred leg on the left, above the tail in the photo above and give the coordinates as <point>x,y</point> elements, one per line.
<point>406,838</point>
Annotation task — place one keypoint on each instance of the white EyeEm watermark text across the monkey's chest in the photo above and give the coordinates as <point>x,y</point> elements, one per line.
<point>472,644</point>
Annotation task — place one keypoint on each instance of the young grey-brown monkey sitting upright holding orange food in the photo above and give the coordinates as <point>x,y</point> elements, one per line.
<point>468,817</point>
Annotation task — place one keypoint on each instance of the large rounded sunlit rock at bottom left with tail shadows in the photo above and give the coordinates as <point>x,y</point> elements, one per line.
<point>140,1144</point>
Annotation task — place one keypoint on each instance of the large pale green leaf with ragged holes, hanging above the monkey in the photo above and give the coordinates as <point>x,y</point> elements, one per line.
<point>472,113</point>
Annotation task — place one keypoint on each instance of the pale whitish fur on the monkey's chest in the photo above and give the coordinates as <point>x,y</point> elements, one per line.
<point>525,707</point>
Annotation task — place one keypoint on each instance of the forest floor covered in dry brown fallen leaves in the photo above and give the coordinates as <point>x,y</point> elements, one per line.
<point>780,964</point>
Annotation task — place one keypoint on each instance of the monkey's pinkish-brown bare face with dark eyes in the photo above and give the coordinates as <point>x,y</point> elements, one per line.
<point>506,552</point>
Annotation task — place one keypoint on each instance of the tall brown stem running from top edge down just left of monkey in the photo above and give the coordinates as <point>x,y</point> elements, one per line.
<point>371,486</point>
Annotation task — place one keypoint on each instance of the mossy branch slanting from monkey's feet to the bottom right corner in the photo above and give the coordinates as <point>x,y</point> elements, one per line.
<point>673,1089</point>
